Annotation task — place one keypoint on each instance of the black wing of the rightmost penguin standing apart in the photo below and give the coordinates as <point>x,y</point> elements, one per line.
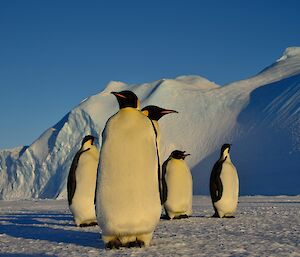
<point>216,186</point>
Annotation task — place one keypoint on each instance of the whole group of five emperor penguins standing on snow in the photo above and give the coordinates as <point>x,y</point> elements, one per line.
<point>123,187</point>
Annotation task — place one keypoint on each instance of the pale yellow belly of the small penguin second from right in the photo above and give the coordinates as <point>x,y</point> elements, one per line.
<point>180,188</point>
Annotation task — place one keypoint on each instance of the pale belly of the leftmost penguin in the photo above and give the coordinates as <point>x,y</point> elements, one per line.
<point>83,208</point>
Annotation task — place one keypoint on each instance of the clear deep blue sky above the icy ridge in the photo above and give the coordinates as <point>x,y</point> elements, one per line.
<point>53,54</point>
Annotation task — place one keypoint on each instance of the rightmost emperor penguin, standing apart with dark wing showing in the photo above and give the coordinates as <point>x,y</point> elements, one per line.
<point>224,185</point>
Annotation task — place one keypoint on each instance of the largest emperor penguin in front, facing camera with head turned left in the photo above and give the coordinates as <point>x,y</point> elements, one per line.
<point>127,199</point>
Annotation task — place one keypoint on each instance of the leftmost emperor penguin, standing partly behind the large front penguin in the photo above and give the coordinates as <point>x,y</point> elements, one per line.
<point>82,182</point>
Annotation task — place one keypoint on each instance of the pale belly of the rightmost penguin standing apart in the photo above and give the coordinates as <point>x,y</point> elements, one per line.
<point>227,205</point>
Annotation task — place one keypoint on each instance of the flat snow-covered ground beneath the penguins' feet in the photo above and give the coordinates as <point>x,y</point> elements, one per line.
<point>264,226</point>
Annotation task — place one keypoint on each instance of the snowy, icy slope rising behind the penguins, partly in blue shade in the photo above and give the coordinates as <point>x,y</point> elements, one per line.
<point>259,115</point>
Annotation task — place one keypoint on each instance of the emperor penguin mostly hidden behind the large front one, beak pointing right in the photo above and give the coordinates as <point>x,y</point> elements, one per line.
<point>154,113</point>
